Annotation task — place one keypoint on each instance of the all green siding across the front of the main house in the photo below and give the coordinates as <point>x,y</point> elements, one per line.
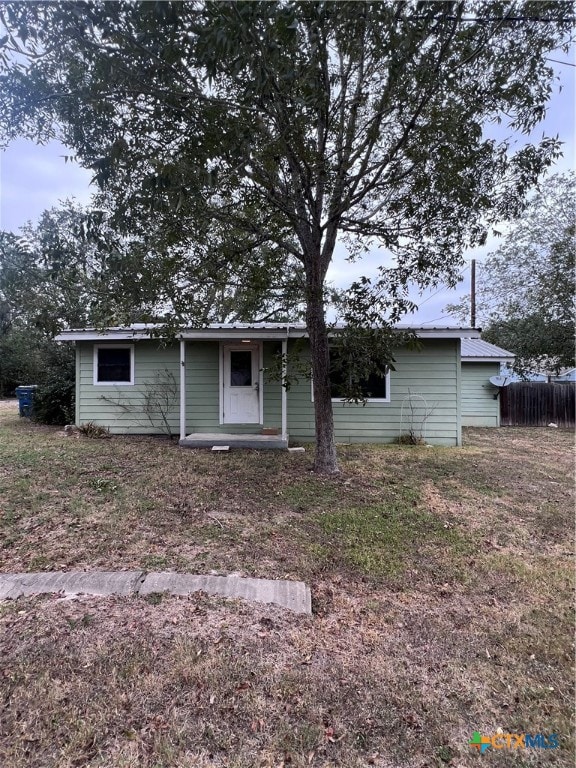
<point>433,372</point>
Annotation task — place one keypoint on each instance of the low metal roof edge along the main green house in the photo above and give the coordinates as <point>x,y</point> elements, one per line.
<point>234,330</point>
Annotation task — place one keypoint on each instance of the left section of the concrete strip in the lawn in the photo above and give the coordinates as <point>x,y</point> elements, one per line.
<point>99,583</point>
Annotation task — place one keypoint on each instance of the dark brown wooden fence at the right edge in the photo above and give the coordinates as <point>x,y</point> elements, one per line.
<point>535,404</point>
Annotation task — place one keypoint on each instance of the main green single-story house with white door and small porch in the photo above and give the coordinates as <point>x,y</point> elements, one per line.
<point>215,386</point>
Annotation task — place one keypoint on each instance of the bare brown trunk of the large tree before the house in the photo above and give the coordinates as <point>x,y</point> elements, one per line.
<point>325,461</point>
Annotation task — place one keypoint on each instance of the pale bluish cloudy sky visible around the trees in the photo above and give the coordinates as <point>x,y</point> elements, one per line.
<point>34,178</point>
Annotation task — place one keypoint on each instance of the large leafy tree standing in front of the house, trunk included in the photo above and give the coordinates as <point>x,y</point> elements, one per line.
<point>298,124</point>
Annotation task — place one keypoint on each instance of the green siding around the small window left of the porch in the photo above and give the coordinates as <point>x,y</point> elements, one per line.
<point>121,407</point>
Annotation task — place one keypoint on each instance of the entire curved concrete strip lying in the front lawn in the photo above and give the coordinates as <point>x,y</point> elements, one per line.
<point>294,595</point>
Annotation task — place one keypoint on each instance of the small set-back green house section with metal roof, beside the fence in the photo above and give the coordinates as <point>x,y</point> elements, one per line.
<point>481,361</point>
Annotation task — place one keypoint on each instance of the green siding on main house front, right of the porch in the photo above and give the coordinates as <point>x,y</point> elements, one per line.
<point>432,372</point>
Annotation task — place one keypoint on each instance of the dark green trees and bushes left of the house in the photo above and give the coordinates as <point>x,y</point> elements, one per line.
<point>51,277</point>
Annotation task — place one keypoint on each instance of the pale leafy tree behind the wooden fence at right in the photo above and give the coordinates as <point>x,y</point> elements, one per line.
<point>525,288</point>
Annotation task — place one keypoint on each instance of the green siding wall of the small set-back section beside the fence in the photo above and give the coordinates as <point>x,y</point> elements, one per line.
<point>479,408</point>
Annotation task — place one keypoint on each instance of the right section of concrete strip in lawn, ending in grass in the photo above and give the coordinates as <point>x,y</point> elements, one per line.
<point>294,595</point>
